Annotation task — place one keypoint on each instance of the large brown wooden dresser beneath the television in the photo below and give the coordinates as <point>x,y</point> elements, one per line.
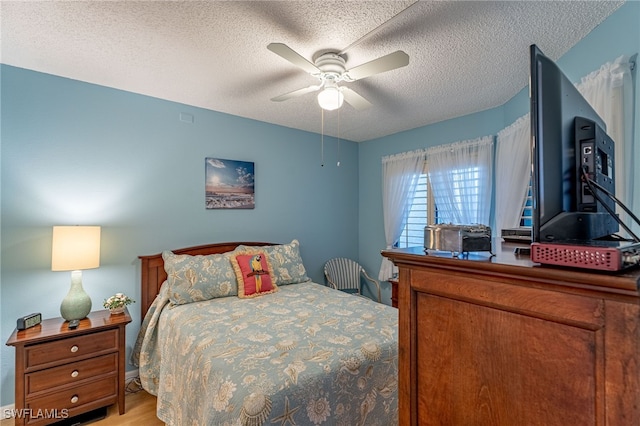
<point>502,341</point>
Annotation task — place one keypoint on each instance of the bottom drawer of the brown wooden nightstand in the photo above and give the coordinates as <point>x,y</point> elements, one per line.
<point>85,397</point>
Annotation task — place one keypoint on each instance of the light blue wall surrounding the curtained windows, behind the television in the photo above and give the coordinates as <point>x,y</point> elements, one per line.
<point>618,35</point>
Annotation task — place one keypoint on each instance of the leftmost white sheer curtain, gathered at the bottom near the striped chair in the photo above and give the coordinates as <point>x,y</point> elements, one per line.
<point>399,178</point>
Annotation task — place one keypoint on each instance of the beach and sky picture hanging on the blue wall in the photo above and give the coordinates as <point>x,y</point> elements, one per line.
<point>229,184</point>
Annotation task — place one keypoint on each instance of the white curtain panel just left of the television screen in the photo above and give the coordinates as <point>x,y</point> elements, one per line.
<point>513,173</point>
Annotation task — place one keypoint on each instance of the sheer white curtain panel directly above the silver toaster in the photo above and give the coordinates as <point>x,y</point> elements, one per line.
<point>461,178</point>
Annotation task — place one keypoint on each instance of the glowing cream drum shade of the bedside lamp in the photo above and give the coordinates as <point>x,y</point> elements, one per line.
<point>75,248</point>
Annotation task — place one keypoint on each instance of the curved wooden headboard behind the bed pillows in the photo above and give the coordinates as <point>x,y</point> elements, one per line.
<point>153,273</point>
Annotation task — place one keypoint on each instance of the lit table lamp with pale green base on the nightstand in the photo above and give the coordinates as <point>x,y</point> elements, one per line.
<point>75,248</point>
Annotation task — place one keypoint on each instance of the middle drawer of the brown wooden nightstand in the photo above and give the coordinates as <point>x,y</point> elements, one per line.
<point>70,373</point>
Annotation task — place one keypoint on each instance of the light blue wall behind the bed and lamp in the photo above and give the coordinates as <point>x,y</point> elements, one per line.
<point>76,153</point>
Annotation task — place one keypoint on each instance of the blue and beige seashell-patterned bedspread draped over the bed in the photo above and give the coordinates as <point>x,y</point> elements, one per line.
<point>304,355</point>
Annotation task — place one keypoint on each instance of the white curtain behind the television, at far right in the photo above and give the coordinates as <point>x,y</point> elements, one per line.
<point>609,90</point>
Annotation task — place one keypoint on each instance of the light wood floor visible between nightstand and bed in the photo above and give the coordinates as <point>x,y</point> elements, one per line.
<point>140,410</point>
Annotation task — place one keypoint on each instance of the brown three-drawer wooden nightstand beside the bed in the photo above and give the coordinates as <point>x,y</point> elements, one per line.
<point>61,373</point>
